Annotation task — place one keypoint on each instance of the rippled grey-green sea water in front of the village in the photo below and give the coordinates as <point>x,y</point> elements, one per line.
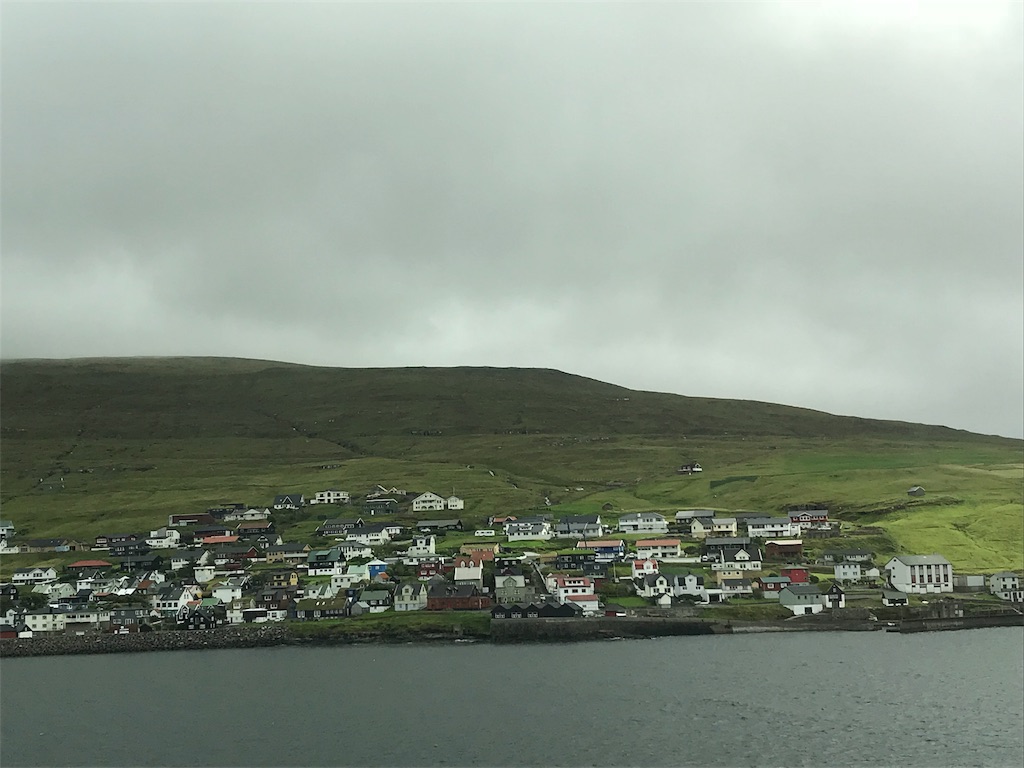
<point>771,700</point>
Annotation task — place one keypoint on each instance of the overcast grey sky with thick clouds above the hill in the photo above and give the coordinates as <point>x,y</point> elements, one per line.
<point>815,205</point>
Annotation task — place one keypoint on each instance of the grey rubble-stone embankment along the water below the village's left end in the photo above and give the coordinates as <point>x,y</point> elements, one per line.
<point>226,637</point>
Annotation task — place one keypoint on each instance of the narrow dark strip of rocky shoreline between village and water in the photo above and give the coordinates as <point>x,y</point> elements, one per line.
<point>504,632</point>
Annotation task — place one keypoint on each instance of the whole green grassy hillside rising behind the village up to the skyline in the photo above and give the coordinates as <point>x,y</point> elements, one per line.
<point>90,447</point>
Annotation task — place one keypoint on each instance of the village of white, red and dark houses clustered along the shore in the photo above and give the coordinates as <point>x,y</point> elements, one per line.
<point>394,550</point>
